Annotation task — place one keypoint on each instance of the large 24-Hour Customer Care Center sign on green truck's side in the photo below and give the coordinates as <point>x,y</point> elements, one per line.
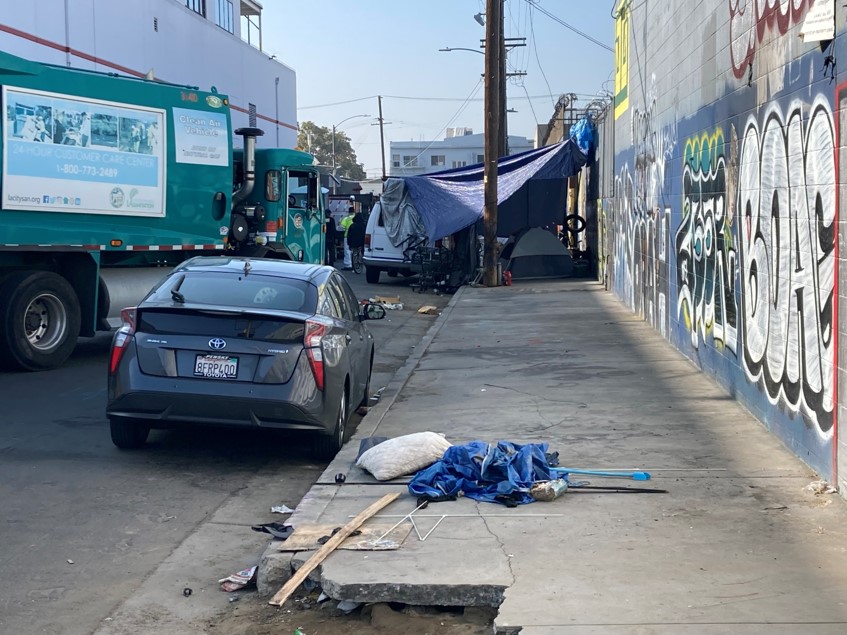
<point>71,154</point>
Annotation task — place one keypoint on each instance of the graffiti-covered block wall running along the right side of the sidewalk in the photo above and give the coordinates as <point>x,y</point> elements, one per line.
<point>722,228</point>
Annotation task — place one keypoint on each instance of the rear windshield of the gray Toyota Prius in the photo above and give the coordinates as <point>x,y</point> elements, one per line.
<point>224,289</point>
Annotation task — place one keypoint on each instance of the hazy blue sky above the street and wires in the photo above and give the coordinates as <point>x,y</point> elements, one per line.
<point>347,52</point>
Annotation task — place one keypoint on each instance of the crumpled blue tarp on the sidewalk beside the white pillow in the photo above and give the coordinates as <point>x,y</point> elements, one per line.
<point>484,471</point>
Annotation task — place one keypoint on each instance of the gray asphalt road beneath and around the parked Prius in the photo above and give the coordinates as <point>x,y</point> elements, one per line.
<point>83,524</point>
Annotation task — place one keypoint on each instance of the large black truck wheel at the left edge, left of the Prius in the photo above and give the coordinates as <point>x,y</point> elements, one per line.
<point>39,320</point>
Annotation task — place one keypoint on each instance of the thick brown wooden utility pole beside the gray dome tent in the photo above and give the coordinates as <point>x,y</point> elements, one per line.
<point>493,115</point>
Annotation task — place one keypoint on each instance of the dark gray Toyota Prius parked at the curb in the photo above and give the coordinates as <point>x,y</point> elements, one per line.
<point>241,342</point>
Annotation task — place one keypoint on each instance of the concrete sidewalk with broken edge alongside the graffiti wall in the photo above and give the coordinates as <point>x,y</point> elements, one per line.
<point>737,546</point>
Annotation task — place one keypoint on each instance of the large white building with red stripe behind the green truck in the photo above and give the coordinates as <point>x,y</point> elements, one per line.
<point>201,43</point>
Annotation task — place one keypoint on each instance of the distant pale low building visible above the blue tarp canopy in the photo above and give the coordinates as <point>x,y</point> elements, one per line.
<point>459,149</point>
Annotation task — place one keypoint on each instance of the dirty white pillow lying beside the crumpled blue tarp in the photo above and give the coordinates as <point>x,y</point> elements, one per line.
<point>403,455</point>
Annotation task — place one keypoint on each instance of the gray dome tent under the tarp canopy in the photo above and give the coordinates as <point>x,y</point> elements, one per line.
<point>536,253</point>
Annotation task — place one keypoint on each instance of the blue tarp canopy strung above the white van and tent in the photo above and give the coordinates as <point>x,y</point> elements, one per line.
<point>443,203</point>
